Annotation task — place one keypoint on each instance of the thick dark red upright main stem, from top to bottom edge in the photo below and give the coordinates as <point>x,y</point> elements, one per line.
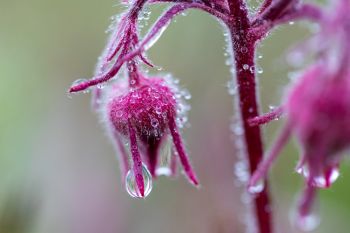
<point>244,54</point>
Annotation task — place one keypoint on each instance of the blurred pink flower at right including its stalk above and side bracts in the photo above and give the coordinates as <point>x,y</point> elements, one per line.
<point>317,113</point>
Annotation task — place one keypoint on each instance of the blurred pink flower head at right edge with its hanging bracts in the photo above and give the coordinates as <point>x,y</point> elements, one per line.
<point>318,113</point>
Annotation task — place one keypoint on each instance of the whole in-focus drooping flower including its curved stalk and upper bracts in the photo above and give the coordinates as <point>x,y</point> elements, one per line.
<point>141,114</point>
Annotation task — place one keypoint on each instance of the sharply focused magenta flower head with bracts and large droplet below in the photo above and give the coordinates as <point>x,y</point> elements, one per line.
<point>143,117</point>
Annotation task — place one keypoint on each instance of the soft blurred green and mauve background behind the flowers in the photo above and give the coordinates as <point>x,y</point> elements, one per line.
<point>58,171</point>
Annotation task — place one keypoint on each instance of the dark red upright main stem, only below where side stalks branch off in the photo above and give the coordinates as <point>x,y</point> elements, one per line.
<point>249,109</point>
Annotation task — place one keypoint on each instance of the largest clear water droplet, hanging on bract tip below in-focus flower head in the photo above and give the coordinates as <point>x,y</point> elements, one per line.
<point>131,186</point>
